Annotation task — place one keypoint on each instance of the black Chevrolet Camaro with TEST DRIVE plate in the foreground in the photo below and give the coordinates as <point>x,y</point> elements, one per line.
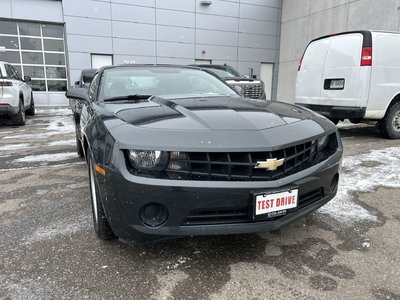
<point>174,151</point>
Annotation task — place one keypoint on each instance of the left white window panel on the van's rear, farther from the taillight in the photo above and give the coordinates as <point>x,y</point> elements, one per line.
<point>315,55</point>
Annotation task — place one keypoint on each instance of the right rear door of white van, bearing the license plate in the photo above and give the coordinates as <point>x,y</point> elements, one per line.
<point>342,83</point>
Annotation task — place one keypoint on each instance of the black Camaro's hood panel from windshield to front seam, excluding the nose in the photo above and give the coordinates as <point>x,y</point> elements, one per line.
<point>209,113</point>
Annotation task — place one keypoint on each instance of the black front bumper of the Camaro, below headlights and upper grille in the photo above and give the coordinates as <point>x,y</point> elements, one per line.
<point>123,195</point>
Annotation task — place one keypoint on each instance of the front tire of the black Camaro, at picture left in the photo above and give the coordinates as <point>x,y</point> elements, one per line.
<point>100,222</point>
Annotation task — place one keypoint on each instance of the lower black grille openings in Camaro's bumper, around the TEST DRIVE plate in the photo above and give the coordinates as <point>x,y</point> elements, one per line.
<point>240,214</point>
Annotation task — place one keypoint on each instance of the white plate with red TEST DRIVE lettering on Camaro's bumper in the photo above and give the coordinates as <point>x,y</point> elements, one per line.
<point>275,204</point>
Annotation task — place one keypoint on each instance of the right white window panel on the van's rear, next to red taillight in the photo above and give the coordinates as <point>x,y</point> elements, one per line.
<point>345,51</point>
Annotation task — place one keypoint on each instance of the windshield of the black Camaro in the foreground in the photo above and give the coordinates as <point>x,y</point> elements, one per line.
<point>165,82</point>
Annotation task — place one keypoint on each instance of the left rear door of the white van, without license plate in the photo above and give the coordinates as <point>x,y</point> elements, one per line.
<point>311,69</point>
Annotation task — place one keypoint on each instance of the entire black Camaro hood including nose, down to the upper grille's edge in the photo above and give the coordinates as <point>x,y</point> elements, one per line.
<point>212,123</point>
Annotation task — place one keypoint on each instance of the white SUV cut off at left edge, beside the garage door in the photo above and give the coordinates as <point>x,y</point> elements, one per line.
<point>16,98</point>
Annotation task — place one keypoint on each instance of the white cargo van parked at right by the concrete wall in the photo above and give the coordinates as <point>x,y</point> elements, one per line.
<point>353,75</point>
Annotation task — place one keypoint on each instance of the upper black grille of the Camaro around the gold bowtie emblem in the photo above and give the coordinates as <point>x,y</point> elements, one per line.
<point>239,166</point>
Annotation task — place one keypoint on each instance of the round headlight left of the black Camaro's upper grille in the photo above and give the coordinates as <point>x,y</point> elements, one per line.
<point>148,159</point>
